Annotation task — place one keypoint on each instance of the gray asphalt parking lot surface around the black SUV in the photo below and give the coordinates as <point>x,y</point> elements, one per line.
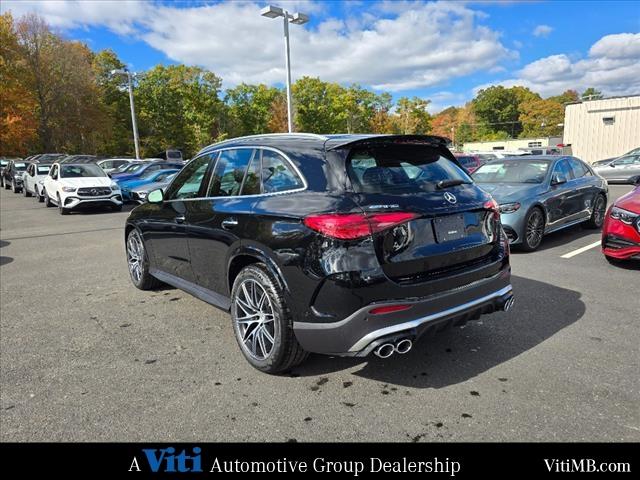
<point>85,356</point>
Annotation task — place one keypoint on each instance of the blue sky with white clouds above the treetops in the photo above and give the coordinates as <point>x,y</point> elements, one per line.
<point>441,51</point>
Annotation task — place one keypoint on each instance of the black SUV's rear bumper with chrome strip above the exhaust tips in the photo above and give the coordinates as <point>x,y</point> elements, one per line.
<point>361,332</point>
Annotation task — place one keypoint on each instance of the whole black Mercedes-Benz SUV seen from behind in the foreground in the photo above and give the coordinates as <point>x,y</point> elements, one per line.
<point>336,244</point>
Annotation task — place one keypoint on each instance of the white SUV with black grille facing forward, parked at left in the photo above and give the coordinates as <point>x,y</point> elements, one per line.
<point>71,186</point>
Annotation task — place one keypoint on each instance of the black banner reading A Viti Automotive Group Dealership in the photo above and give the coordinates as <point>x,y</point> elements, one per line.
<point>454,460</point>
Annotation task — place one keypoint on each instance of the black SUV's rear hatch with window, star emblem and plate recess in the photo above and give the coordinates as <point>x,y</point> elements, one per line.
<point>455,224</point>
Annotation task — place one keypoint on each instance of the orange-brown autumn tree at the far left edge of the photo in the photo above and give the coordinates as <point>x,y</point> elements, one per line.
<point>17,104</point>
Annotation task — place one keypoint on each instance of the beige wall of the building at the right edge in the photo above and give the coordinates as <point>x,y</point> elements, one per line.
<point>591,139</point>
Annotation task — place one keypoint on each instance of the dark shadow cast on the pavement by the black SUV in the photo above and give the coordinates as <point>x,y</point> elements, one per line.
<point>456,355</point>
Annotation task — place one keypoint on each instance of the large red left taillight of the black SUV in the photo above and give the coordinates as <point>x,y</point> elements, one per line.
<point>351,226</point>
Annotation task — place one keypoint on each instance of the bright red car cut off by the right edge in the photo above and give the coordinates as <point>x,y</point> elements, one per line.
<point>621,229</point>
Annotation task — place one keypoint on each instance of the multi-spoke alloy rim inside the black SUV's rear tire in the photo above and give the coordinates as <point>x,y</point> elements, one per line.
<point>255,319</point>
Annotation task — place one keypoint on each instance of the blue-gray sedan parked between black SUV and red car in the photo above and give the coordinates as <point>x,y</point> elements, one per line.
<point>541,194</point>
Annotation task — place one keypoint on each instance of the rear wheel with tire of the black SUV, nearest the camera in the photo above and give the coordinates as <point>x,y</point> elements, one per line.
<point>255,291</point>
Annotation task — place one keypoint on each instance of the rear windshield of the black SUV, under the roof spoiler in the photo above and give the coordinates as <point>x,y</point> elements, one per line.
<point>401,169</point>
